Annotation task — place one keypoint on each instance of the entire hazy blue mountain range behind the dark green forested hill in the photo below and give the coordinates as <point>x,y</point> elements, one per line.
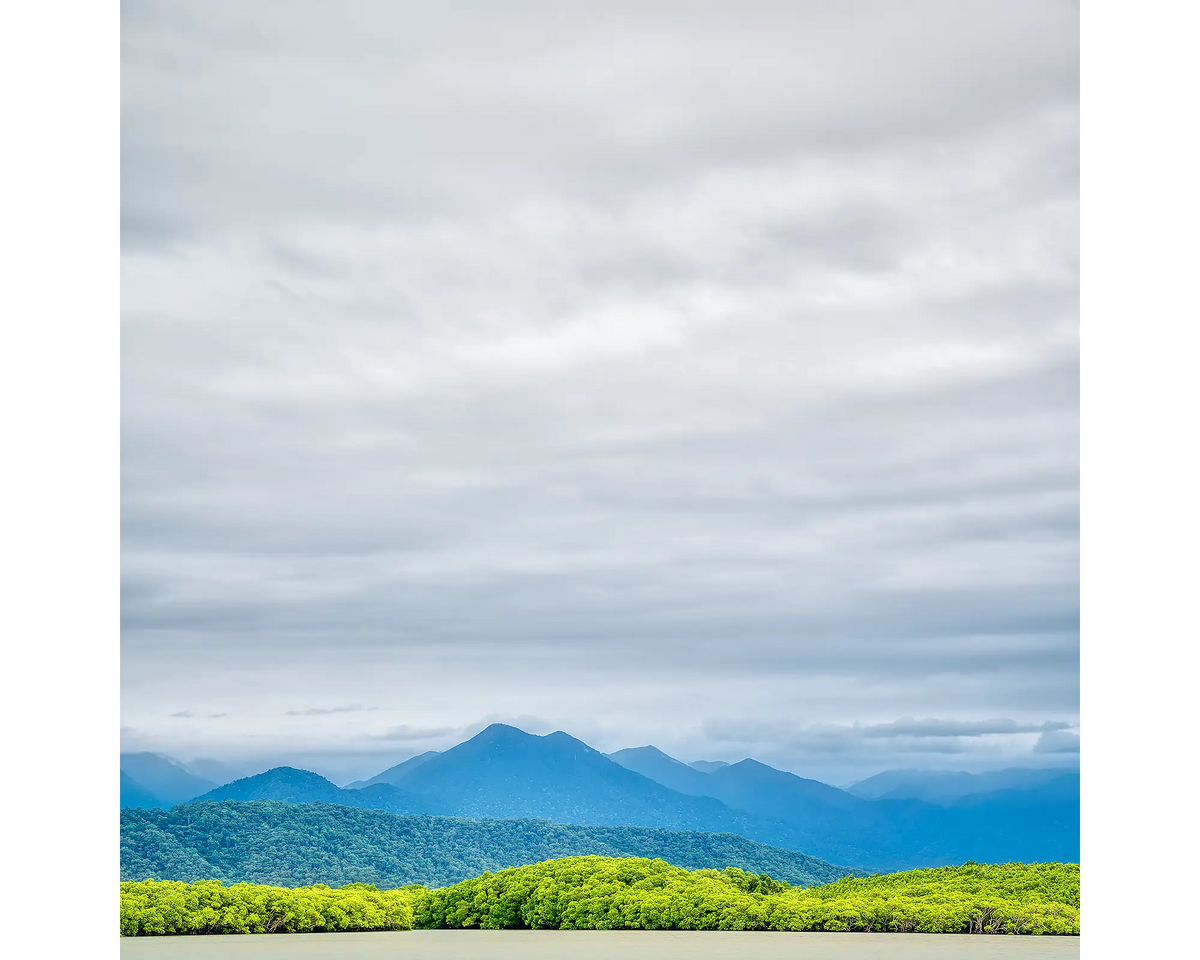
<point>507,773</point>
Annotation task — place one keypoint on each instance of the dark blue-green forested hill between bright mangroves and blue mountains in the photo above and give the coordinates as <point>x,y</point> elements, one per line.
<point>302,844</point>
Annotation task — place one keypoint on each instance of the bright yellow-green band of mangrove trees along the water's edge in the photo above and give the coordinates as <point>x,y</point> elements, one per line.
<point>602,893</point>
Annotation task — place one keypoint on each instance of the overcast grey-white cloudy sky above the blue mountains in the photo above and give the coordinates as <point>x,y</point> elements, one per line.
<point>706,376</point>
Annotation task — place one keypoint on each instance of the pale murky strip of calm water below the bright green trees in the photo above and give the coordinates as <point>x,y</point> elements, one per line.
<point>597,945</point>
